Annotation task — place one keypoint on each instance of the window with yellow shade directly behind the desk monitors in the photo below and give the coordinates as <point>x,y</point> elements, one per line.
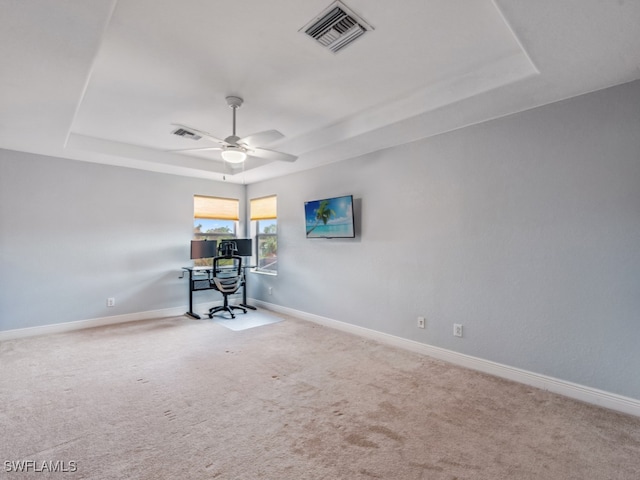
<point>214,219</point>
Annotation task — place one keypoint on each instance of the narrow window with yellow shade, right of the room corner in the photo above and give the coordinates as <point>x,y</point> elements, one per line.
<point>265,223</point>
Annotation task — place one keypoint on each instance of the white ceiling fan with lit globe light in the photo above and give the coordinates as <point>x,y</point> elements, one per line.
<point>235,150</point>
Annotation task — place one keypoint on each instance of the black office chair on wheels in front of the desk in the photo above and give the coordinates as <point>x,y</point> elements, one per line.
<point>226,277</point>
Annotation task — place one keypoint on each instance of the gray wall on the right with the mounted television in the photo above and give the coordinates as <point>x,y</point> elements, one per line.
<point>525,229</point>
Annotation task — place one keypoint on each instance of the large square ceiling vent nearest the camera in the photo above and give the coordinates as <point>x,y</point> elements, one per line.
<point>336,27</point>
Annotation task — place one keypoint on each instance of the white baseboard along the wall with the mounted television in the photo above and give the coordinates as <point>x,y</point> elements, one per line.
<point>555,385</point>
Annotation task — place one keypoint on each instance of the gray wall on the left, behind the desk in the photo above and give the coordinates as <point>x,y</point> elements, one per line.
<point>73,234</point>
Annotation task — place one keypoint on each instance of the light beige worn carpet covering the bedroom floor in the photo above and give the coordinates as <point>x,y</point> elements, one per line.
<point>178,398</point>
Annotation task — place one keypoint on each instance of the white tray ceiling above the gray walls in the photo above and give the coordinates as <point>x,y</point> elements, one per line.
<point>102,81</point>
